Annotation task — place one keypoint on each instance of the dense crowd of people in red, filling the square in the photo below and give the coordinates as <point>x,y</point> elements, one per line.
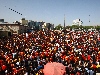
<point>28,53</point>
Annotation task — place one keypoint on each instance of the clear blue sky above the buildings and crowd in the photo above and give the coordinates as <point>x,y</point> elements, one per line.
<point>51,11</point>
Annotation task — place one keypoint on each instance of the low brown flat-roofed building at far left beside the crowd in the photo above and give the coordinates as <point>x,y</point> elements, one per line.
<point>10,29</point>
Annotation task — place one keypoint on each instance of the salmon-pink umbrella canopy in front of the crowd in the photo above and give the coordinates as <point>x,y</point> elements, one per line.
<point>54,69</point>
